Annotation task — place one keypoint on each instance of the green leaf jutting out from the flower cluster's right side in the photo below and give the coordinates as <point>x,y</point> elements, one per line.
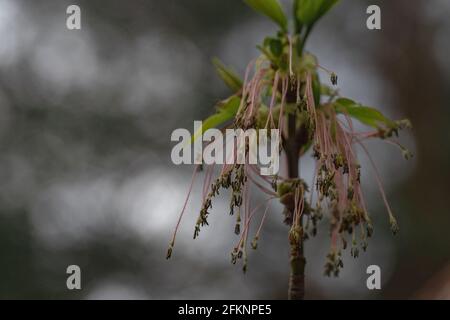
<point>366,115</point>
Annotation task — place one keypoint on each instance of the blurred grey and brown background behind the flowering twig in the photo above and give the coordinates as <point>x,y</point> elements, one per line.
<point>85,170</point>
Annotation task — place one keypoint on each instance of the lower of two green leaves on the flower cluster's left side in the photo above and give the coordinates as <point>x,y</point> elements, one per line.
<point>226,110</point>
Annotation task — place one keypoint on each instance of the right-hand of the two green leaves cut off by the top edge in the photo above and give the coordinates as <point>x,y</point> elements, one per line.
<point>309,11</point>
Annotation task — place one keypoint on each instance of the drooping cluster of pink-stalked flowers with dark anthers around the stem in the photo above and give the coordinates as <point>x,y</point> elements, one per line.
<point>285,86</point>
